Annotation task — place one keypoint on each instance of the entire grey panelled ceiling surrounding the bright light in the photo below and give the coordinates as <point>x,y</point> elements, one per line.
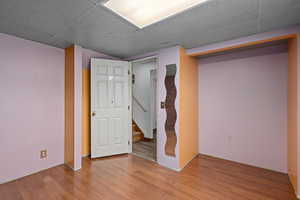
<point>87,23</point>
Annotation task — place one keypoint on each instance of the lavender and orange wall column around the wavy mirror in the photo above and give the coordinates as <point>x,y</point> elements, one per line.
<point>186,105</point>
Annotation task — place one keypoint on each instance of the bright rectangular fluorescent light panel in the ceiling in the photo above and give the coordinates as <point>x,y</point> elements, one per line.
<point>142,13</point>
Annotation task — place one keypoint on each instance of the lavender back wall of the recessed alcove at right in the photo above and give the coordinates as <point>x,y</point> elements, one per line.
<point>243,107</point>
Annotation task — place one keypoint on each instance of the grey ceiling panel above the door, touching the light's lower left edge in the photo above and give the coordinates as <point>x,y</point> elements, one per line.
<point>100,30</point>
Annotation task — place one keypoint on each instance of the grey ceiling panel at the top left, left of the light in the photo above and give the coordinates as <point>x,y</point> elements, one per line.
<point>50,16</point>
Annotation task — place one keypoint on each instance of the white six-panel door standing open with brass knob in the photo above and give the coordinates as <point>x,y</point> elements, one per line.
<point>109,107</point>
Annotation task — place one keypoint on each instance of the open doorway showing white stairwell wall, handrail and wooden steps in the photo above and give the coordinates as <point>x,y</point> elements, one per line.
<point>144,108</point>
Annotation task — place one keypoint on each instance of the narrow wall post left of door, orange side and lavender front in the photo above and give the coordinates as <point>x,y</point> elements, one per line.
<point>73,93</point>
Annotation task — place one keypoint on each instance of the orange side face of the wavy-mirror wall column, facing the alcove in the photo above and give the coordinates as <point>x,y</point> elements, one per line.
<point>188,111</point>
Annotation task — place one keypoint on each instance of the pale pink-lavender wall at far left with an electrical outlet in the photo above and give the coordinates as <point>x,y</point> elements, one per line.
<point>31,107</point>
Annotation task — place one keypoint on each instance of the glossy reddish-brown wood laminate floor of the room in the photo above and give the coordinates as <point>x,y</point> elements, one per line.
<point>132,178</point>
